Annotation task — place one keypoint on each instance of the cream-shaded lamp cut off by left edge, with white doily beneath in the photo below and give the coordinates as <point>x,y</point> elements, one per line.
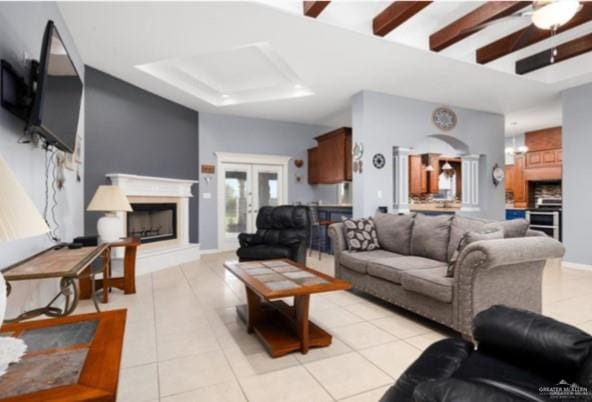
<point>18,219</point>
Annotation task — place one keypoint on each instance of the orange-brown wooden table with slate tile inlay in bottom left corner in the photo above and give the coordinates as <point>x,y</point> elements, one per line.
<point>74,358</point>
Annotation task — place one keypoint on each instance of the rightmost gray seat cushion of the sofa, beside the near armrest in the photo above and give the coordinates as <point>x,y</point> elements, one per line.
<point>431,282</point>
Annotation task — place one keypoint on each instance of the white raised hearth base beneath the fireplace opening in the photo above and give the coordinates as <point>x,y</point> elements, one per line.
<point>155,260</point>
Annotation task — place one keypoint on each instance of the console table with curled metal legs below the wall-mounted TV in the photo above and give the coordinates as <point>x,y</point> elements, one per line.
<point>64,263</point>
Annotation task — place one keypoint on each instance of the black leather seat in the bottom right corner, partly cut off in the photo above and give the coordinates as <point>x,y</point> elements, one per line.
<point>520,356</point>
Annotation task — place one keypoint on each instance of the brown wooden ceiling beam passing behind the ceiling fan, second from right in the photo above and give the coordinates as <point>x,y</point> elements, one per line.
<point>518,40</point>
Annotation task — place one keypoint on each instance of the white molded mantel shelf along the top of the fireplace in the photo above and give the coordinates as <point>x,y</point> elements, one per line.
<point>148,186</point>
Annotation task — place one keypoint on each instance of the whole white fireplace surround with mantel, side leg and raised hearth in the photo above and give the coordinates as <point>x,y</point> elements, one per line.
<point>139,189</point>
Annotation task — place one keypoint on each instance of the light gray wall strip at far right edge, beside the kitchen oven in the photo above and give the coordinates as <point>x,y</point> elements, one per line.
<point>577,170</point>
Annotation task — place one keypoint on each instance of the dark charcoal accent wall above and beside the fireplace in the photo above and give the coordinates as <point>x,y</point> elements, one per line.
<point>132,131</point>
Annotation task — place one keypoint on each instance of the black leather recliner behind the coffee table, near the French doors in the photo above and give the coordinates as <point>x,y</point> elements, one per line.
<point>282,232</point>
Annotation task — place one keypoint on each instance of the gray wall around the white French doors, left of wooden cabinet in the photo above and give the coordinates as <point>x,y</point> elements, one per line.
<point>223,133</point>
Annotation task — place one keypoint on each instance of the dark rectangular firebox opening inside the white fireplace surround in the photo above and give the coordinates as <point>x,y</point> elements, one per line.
<point>152,222</point>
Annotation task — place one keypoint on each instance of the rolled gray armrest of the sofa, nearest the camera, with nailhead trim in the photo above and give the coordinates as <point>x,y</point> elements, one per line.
<point>504,271</point>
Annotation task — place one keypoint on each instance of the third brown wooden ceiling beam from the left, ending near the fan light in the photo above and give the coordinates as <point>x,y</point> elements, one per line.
<point>469,23</point>
